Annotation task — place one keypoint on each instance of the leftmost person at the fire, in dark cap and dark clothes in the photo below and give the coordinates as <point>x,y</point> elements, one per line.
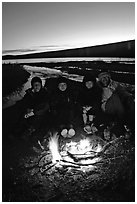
<point>34,106</point>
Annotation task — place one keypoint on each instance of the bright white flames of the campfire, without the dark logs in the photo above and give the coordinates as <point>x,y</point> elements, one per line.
<point>83,147</point>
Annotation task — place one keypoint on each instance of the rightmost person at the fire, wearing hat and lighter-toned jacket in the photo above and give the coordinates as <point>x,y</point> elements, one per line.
<point>116,101</point>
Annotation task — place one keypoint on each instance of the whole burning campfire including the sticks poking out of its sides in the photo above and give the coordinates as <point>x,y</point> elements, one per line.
<point>84,154</point>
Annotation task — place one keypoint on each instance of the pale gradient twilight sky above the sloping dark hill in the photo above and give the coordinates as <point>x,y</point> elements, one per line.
<point>46,26</point>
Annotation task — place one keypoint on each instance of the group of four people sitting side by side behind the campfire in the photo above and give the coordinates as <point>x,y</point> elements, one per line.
<point>100,100</point>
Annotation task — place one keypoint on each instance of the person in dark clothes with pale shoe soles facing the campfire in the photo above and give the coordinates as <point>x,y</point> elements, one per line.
<point>62,107</point>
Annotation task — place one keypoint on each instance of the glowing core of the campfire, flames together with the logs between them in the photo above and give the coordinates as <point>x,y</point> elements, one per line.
<point>74,154</point>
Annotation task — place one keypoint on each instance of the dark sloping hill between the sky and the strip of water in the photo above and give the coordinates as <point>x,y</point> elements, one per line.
<point>119,49</point>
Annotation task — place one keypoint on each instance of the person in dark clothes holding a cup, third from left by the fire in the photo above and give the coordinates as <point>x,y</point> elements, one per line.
<point>89,99</point>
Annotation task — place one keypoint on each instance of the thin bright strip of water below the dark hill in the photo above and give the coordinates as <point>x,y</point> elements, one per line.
<point>54,60</point>
